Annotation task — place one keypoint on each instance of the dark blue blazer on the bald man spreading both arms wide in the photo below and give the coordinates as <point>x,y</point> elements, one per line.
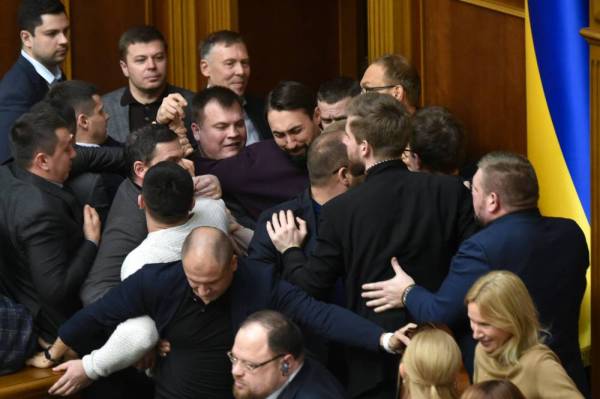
<point>157,290</point>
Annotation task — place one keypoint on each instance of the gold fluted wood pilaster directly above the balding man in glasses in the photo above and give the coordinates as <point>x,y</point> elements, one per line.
<point>389,28</point>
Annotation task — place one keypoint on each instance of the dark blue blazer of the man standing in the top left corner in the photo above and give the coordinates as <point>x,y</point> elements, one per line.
<point>20,88</point>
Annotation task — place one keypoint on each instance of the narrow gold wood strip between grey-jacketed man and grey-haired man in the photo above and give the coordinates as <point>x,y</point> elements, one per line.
<point>183,65</point>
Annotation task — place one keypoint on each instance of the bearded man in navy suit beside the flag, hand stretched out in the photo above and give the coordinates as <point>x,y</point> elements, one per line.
<point>549,254</point>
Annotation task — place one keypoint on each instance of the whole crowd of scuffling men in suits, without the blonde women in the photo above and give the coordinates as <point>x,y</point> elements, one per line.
<point>256,244</point>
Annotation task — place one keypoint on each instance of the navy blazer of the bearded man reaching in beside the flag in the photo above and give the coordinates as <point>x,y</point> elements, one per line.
<point>549,254</point>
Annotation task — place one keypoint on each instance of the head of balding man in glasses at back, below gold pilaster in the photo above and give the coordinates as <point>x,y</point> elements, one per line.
<point>392,74</point>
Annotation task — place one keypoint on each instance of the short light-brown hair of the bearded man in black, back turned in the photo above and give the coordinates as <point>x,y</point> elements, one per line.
<point>380,120</point>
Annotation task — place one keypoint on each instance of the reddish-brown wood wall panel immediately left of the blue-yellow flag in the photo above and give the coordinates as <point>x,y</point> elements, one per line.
<point>474,64</point>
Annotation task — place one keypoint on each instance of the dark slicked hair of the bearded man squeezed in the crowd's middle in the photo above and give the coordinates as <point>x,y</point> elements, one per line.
<point>289,95</point>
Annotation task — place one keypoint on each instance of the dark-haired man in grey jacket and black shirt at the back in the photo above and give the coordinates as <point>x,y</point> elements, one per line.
<point>143,54</point>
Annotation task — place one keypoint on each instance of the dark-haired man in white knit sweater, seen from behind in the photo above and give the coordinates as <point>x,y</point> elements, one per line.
<point>171,213</point>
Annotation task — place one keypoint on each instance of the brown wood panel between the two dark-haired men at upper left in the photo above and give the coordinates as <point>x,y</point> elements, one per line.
<point>95,30</point>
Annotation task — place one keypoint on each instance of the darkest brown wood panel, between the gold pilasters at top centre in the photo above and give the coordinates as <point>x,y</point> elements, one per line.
<point>292,40</point>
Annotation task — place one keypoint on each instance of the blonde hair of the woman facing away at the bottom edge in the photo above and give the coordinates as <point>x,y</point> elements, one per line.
<point>431,364</point>
